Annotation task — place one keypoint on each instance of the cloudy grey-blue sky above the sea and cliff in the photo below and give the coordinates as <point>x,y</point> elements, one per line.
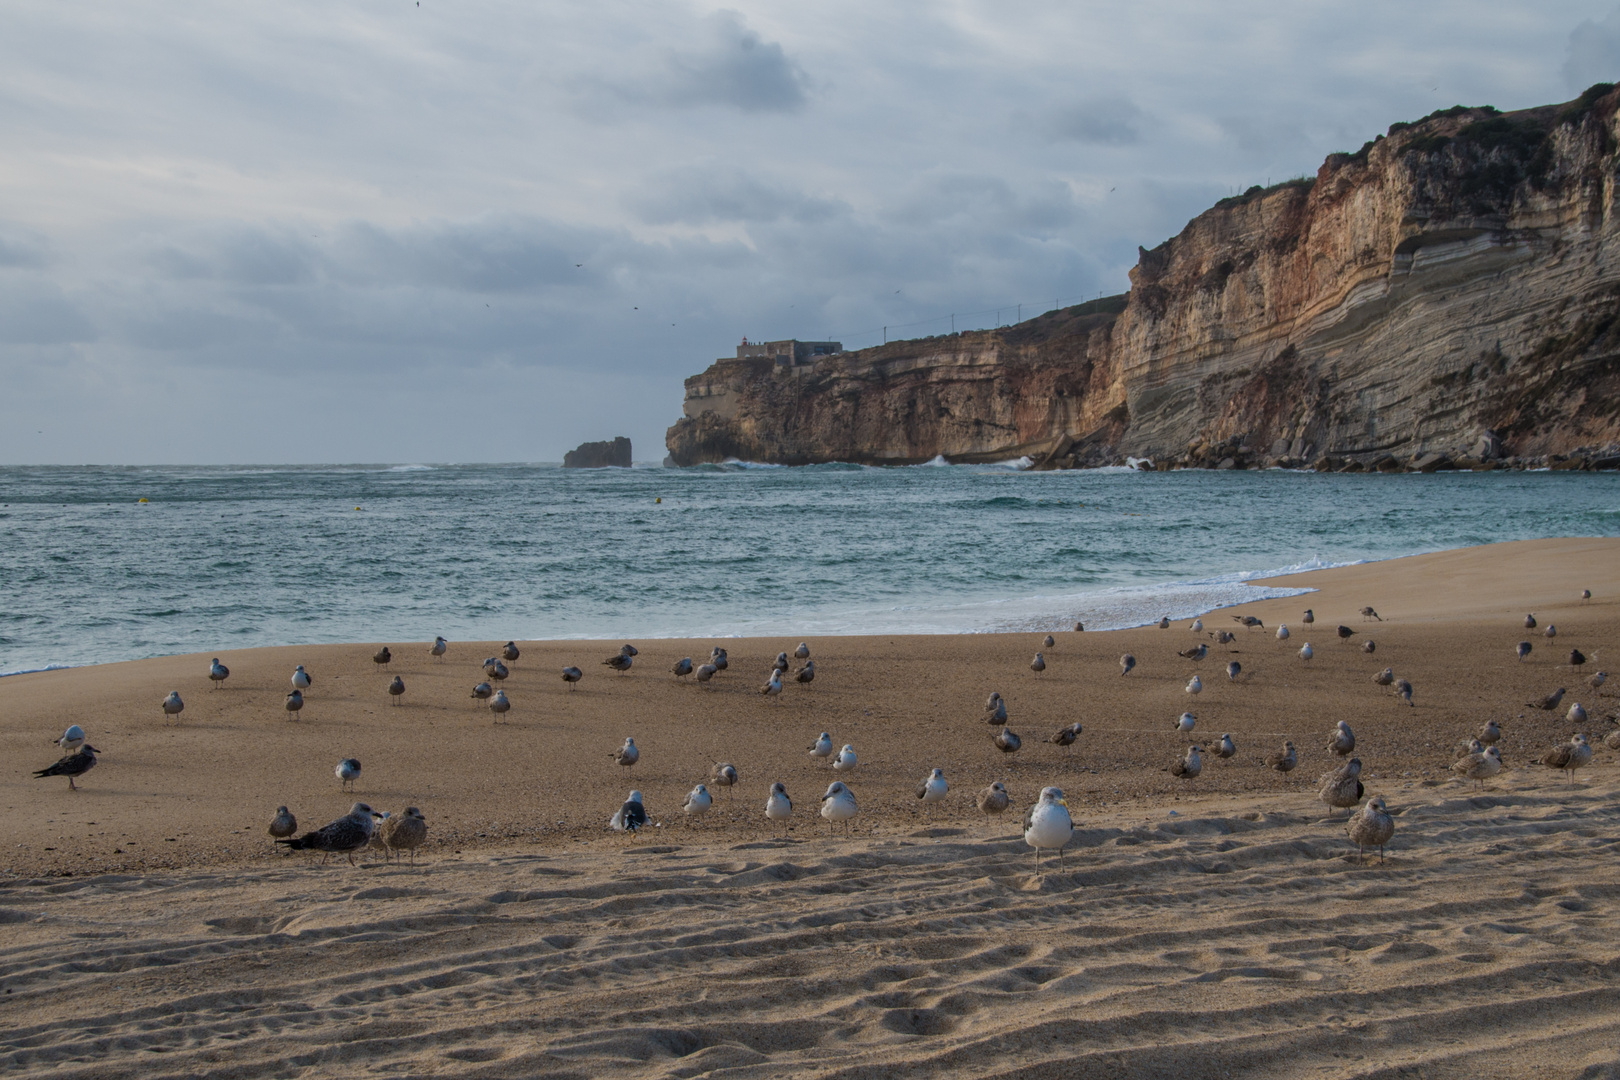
<point>488,232</point>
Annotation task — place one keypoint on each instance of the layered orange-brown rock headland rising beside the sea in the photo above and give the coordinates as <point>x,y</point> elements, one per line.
<point>1451,289</point>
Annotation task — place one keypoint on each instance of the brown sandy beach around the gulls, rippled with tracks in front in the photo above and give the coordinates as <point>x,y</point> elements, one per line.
<point>1200,929</point>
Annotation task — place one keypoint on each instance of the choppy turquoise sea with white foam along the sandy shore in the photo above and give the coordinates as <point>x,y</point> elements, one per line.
<point>234,558</point>
